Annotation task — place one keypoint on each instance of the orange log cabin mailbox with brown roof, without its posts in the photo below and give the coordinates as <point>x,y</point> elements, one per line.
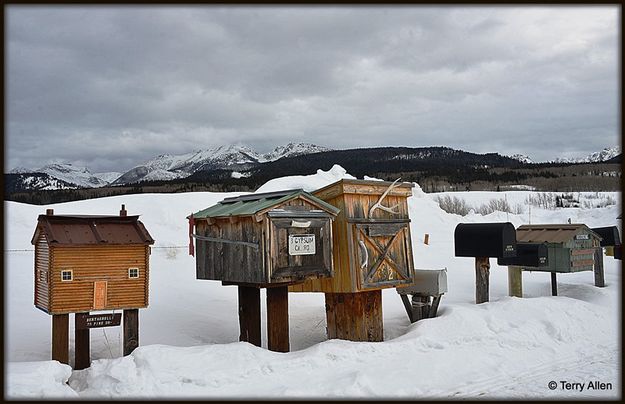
<point>85,263</point>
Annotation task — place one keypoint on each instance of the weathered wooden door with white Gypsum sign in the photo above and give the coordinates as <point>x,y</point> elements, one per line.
<point>300,248</point>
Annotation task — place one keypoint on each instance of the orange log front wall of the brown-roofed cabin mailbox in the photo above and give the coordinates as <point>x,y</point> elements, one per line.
<point>99,263</point>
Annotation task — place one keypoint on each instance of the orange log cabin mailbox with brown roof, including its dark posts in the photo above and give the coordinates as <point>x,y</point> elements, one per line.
<point>87,263</point>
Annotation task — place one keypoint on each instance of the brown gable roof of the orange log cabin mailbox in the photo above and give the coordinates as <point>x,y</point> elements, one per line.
<point>70,230</point>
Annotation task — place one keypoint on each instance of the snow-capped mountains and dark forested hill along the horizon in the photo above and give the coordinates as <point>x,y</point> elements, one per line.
<point>240,161</point>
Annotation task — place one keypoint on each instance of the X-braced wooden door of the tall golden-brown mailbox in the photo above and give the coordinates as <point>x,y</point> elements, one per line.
<point>382,252</point>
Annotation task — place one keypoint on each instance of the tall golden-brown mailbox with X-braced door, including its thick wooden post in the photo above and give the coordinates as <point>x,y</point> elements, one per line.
<point>372,251</point>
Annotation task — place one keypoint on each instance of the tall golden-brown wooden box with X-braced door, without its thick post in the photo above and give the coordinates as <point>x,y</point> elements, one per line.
<point>354,201</point>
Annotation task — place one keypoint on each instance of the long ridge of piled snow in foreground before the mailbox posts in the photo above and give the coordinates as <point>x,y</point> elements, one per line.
<point>462,353</point>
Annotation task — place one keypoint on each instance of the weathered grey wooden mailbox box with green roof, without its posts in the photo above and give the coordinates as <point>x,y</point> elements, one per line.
<point>266,238</point>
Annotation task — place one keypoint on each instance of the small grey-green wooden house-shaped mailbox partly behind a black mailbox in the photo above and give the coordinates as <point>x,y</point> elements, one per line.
<point>570,247</point>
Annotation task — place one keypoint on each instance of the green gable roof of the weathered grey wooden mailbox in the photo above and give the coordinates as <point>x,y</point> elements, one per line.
<point>251,204</point>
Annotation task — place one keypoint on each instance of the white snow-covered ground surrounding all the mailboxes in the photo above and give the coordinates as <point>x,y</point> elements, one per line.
<point>506,348</point>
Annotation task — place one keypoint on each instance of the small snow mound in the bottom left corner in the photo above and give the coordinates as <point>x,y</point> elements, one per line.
<point>38,380</point>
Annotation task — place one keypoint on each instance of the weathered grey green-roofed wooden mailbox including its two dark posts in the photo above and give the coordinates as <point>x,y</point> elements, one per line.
<point>266,240</point>
